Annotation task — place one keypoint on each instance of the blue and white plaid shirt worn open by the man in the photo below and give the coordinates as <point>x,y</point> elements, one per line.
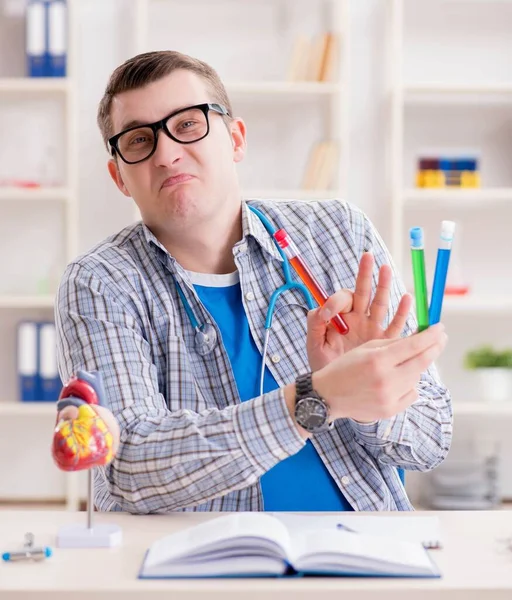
<point>187,442</point>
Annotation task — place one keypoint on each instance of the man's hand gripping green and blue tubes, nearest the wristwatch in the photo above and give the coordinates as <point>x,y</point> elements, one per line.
<point>378,380</point>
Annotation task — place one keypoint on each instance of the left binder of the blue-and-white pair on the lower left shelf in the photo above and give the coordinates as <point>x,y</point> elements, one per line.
<point>27,361</point>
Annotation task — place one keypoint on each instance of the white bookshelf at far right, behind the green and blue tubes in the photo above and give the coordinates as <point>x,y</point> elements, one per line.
<point>450,86</point>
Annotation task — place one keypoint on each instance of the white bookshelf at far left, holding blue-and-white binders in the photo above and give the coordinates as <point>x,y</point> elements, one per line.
<point>56,206</point>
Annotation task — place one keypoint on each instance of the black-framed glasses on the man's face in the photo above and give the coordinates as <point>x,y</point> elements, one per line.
<point>185,126</point>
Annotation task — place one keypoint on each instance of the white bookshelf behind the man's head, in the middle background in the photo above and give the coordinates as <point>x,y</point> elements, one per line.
<point>307,70</point>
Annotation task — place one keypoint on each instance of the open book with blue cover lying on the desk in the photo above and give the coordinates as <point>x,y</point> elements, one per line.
<point>261,545</point>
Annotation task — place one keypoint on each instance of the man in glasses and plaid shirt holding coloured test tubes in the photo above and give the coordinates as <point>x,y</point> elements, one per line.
<point>144,308</point>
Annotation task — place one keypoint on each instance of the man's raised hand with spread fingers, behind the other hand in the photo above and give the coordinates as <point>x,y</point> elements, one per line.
<point>363,316</point>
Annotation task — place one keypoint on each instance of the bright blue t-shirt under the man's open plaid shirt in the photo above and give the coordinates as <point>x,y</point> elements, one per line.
<point>300,482</point>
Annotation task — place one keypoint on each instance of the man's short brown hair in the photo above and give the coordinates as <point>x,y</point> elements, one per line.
<point>146,68</point>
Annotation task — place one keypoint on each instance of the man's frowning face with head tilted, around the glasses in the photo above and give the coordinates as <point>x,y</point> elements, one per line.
<point>180,184</point>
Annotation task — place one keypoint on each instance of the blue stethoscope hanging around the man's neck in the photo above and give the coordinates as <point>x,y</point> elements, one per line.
<point>205,337</point>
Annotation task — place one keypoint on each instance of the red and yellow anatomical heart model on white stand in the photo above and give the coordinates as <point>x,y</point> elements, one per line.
<point>87,441</point>
